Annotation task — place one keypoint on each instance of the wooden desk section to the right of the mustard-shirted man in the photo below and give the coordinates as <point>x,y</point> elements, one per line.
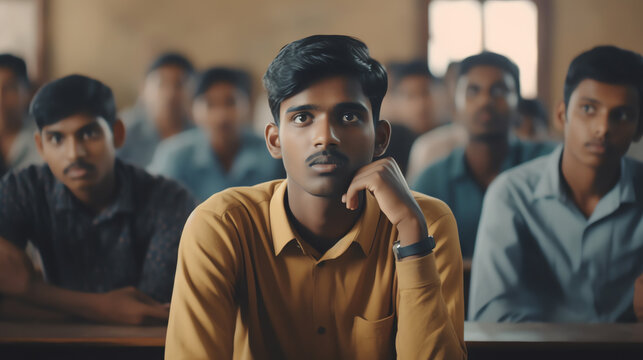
<point>553,341</point>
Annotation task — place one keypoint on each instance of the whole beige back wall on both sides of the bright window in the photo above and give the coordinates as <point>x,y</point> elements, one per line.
<point>114,40</point>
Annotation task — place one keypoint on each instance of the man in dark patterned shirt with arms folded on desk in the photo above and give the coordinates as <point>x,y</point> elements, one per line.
<point>107,232</point>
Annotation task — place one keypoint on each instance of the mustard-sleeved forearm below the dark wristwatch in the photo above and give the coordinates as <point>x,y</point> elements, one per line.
<point>425,327</point>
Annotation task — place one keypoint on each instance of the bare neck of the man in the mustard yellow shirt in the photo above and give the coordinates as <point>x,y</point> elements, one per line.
<point>320,221</point>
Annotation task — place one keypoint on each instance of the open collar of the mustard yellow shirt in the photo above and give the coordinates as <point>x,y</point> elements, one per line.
<point>362,233</point>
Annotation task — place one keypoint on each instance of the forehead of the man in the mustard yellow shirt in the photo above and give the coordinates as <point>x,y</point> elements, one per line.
<point>328,92</point>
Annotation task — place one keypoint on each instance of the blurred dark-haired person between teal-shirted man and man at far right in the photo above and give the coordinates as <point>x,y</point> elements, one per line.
<point>532,123</point>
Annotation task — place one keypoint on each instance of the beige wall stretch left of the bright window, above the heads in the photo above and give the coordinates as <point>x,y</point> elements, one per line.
<point>113,40</point>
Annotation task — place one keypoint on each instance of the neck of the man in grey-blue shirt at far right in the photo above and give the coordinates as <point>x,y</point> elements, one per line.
<point>586,184</point>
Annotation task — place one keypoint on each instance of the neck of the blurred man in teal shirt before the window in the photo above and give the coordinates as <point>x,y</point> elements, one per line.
<point>485,158</point>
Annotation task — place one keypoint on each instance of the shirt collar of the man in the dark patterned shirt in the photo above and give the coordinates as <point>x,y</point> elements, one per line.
<point>65,200</point>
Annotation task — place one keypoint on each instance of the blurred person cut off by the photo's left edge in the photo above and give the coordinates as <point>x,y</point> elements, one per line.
<point>17,147</point>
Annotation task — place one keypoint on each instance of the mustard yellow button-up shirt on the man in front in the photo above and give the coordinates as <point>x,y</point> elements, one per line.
<point>248,287</point>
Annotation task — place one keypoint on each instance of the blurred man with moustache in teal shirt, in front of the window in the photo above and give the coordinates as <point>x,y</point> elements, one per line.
<point>487,95</point>
